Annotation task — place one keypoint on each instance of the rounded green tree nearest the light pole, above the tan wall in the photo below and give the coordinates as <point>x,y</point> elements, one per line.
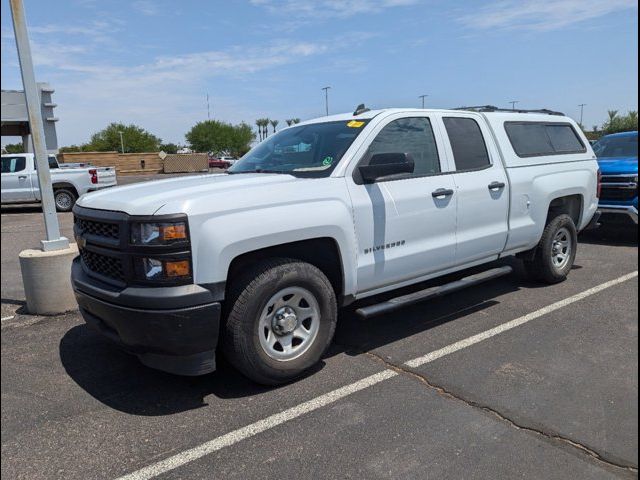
<point>134,138</point>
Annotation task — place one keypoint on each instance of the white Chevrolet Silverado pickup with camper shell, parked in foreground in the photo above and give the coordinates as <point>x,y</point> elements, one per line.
<point>257,261</point>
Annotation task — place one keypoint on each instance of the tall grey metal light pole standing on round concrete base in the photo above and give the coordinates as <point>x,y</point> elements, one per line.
<point>54,240</point>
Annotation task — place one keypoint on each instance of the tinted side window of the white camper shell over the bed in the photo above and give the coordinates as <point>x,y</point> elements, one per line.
<point>532,139</point>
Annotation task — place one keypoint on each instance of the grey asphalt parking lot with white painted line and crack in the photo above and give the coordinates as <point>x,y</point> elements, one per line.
<point>506,380</point>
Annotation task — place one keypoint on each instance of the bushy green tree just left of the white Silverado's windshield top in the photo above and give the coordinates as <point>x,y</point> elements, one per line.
<point>215,136</point>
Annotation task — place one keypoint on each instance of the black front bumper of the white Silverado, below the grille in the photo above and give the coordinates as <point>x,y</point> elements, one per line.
<point>174,329</point>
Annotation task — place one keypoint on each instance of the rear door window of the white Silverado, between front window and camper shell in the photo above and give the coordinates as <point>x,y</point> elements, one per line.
<point>467,143</point>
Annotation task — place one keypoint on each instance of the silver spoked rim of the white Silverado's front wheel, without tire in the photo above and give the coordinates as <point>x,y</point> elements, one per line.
<point>289,323</point>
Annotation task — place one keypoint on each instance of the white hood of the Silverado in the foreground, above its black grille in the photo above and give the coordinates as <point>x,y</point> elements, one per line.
<point>181,194</point>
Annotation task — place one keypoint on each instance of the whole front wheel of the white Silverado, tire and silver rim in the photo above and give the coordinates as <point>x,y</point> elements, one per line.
<point>281,319</point>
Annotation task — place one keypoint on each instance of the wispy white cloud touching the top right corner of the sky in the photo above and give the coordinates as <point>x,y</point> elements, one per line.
<point>541,15</point>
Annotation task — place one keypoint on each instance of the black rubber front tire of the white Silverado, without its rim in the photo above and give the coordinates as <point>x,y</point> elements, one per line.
<point>247,302</point>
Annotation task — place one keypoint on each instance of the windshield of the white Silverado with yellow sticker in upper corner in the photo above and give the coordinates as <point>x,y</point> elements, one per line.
<point>311,150</point>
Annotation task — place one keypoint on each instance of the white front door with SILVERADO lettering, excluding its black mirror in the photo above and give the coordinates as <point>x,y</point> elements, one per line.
<point>405,225</point>
